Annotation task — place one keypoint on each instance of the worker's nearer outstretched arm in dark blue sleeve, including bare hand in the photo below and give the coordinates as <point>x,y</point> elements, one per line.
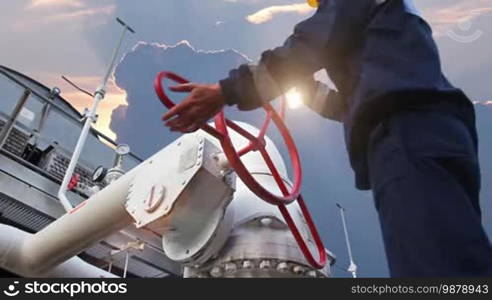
<point>318,42</point>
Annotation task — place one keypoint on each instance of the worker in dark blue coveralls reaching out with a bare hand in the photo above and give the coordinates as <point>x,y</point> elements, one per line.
<point>410,133</point>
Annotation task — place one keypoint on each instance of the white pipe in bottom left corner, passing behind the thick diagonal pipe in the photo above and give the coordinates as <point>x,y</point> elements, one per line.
<point>11,259</point>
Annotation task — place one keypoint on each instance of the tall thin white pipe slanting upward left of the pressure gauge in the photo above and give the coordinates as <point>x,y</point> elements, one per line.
<point>90,117</point>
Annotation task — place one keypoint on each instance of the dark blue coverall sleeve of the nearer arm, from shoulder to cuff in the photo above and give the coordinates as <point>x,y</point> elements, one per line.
<point>316,43</point>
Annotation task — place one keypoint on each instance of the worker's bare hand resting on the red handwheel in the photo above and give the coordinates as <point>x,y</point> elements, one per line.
<point>203,102</point>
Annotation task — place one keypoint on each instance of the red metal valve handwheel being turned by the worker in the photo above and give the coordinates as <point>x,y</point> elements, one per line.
<point>258,143</point>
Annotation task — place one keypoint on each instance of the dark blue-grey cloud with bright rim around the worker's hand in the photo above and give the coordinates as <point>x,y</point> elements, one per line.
<point>135,74</point>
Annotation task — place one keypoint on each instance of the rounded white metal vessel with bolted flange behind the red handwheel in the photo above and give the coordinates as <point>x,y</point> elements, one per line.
<point>260,243</point>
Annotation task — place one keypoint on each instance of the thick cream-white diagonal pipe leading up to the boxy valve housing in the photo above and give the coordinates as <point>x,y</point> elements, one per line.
<point>101,215</point>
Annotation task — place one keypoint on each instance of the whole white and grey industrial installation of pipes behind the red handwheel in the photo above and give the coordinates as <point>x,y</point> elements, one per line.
<point>181,212</point>
